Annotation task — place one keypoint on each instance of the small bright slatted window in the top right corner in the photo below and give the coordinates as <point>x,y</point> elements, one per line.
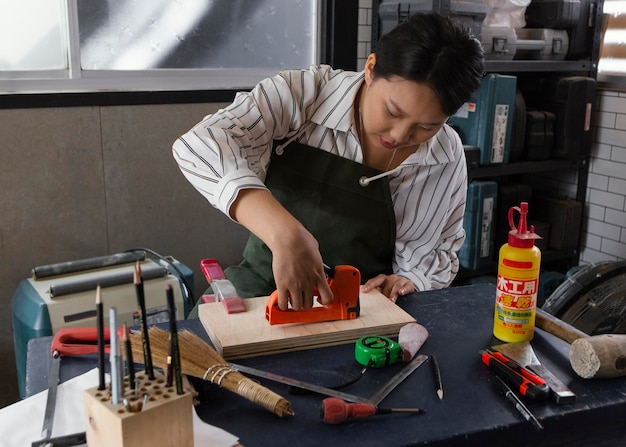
<point>612,64</point>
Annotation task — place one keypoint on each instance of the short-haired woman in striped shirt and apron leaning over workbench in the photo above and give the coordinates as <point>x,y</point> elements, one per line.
<point>331,167</point>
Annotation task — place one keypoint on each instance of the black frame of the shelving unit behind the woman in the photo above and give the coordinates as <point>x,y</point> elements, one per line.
<point>560,260</point>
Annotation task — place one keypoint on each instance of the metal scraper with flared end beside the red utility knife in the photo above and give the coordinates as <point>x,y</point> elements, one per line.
<point>524,354</point>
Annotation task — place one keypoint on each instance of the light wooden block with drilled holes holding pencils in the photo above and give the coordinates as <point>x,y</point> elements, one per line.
<point>165,419</point>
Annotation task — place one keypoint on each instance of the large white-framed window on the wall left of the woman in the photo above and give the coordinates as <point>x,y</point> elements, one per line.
<point>87,45</point>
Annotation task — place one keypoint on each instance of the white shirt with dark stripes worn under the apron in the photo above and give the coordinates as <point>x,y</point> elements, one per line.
<point>230,150</point>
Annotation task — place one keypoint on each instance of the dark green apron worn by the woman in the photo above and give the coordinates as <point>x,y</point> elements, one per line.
<point>353,224</point>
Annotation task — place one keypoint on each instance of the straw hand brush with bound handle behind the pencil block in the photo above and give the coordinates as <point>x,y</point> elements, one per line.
<point>198,359</point>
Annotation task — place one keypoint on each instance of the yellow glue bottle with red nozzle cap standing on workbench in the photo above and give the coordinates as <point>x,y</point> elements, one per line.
<point>518,281</point>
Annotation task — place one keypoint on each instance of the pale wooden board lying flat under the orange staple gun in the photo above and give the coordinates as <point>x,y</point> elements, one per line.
<point>248,334</point>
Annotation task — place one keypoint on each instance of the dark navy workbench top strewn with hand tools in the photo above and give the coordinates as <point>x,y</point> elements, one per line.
<point>471,413</point>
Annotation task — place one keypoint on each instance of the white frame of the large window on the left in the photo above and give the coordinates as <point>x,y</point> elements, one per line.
<point>74,79</point>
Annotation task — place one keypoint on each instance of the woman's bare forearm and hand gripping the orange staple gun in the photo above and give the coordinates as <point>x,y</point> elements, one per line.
<point>297,263</point>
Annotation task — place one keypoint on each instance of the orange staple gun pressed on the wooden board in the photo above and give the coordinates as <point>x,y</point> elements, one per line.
<point>345,284</point>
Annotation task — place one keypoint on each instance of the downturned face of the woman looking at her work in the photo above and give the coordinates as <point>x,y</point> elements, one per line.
<point>398,114</point>
